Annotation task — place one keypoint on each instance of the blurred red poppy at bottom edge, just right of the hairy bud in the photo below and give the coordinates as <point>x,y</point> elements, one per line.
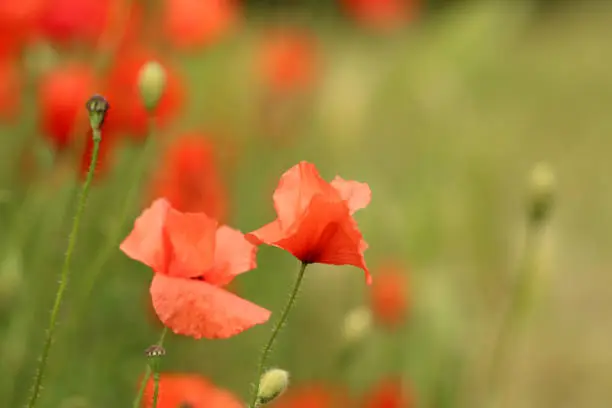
<point>313,396</point>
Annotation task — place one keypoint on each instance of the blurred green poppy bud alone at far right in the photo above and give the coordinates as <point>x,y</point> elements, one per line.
<point>542,186</point>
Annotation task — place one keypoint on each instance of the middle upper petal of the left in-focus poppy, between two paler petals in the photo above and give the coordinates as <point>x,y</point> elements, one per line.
<point>192,236</point>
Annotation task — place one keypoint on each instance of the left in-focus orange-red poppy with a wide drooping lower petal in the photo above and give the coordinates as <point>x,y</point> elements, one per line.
<point>192,258</point>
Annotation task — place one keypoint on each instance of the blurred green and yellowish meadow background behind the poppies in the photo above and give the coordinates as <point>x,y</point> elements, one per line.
<point>444,120</point>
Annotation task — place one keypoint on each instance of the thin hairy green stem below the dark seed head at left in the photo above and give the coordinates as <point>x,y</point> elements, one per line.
<point>72,238</point>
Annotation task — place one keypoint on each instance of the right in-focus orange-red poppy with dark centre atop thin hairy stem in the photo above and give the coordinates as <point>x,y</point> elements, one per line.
<point>315,218</point>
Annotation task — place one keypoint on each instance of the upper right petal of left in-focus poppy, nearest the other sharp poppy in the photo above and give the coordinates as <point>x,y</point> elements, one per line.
<point>233,255</point>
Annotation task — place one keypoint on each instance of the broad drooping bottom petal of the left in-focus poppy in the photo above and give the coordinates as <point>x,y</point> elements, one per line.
<point>197,309</point>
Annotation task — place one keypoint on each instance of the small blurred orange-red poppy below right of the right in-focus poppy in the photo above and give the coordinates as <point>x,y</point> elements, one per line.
<point>389,295</point>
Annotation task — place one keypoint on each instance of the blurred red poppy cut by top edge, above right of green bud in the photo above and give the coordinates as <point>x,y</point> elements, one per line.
<point>195,23</point>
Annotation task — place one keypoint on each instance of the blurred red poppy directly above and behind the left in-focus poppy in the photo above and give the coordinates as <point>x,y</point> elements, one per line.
<point>189,177</point>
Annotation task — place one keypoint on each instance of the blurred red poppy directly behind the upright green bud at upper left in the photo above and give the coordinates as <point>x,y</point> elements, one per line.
<point>123,94</point>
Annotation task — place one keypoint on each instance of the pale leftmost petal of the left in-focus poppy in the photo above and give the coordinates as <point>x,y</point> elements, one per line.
<point>146,241</point>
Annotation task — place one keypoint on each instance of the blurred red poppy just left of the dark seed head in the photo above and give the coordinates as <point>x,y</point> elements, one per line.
<point>61,99</point>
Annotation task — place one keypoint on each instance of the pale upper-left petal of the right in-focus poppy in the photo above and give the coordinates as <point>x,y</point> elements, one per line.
<point>295,190</point>
